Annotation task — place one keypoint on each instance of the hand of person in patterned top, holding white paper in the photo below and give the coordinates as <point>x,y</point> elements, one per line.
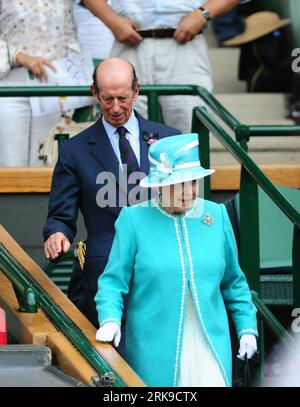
<point>35,64</point>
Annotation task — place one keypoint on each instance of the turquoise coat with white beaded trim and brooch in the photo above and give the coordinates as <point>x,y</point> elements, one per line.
<point>154,257</point>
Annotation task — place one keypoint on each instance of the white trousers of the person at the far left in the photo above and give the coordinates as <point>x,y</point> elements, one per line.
<point>20,133</point>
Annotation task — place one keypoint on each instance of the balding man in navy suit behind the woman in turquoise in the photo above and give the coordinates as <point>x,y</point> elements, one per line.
<point>89,176</point>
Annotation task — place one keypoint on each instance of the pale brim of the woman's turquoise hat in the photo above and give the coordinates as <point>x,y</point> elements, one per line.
<point>159,180</point>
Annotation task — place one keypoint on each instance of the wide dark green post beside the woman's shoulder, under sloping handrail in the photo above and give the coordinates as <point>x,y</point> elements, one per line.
<point>249,230</point>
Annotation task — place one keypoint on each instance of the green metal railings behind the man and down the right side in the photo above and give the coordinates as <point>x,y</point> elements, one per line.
<point>251,175</point>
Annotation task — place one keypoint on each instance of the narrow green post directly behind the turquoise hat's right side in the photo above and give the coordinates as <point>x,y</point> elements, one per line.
<point>204,151</point>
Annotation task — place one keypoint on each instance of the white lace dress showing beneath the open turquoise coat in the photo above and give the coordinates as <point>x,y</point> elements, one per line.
<point>198,366</point>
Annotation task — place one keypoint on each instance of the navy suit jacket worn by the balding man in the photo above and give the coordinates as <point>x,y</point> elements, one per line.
<point>75,186</point>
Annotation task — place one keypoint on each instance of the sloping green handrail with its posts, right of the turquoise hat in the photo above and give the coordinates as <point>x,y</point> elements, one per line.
<point>251,177</point>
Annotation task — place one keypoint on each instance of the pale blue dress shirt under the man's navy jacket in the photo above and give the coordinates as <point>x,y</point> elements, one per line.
<point>133,131</point>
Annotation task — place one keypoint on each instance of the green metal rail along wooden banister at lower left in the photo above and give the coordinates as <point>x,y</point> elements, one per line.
<point>36,296</point>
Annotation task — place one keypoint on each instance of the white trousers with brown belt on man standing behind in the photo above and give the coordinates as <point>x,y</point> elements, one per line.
<point>164,61</point>
